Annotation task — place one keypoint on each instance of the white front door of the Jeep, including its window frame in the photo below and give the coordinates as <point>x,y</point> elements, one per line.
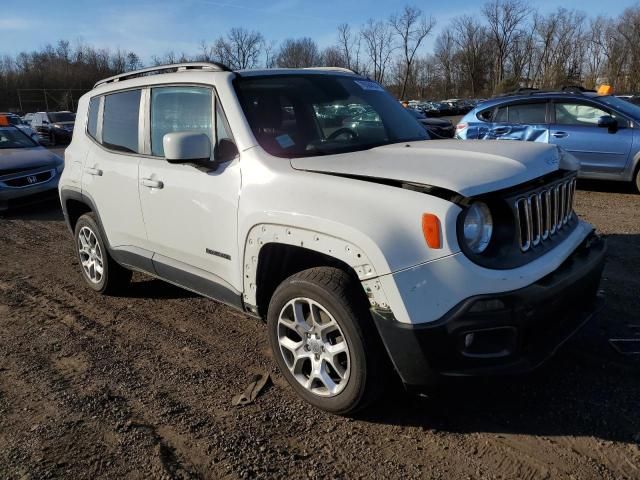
<point>190,211</point>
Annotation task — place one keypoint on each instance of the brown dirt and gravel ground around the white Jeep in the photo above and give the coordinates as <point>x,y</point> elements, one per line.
<point>140,386</point>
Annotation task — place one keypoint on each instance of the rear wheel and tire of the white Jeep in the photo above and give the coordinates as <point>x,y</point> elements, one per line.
<point>99,270</point>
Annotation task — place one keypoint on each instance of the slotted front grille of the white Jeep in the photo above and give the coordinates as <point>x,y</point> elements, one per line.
<point>543,213</point>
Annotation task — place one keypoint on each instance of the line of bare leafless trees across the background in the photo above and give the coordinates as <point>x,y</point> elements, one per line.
<point>506,45</point>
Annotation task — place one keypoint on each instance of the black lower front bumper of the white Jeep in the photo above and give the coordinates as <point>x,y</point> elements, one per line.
<point>504,333</point>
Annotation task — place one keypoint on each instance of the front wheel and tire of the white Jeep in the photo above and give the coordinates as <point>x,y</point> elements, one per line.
<point>353,378</point>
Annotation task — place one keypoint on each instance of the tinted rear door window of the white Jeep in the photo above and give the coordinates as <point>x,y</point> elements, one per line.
<point>120,121</point>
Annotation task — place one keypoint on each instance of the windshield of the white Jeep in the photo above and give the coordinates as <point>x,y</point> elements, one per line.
<point>307,115</point>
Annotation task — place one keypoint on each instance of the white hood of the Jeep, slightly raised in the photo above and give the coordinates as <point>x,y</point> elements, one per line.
<point>466,167</point>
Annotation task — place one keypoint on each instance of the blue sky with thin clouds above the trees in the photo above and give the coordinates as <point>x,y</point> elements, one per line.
<point>155,27</point>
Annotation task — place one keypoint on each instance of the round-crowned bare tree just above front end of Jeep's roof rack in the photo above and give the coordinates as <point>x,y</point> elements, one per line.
<point>240,49</point>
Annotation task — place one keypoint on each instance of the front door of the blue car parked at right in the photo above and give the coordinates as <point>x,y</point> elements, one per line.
<point>575,128</point>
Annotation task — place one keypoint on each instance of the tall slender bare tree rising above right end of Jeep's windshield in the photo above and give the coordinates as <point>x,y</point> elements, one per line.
<point>412,28</point>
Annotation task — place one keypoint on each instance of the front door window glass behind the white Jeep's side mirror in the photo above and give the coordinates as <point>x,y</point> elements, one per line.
<point>179,109</point>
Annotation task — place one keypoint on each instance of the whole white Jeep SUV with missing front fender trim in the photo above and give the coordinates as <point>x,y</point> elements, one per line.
<point>312,199</point>
